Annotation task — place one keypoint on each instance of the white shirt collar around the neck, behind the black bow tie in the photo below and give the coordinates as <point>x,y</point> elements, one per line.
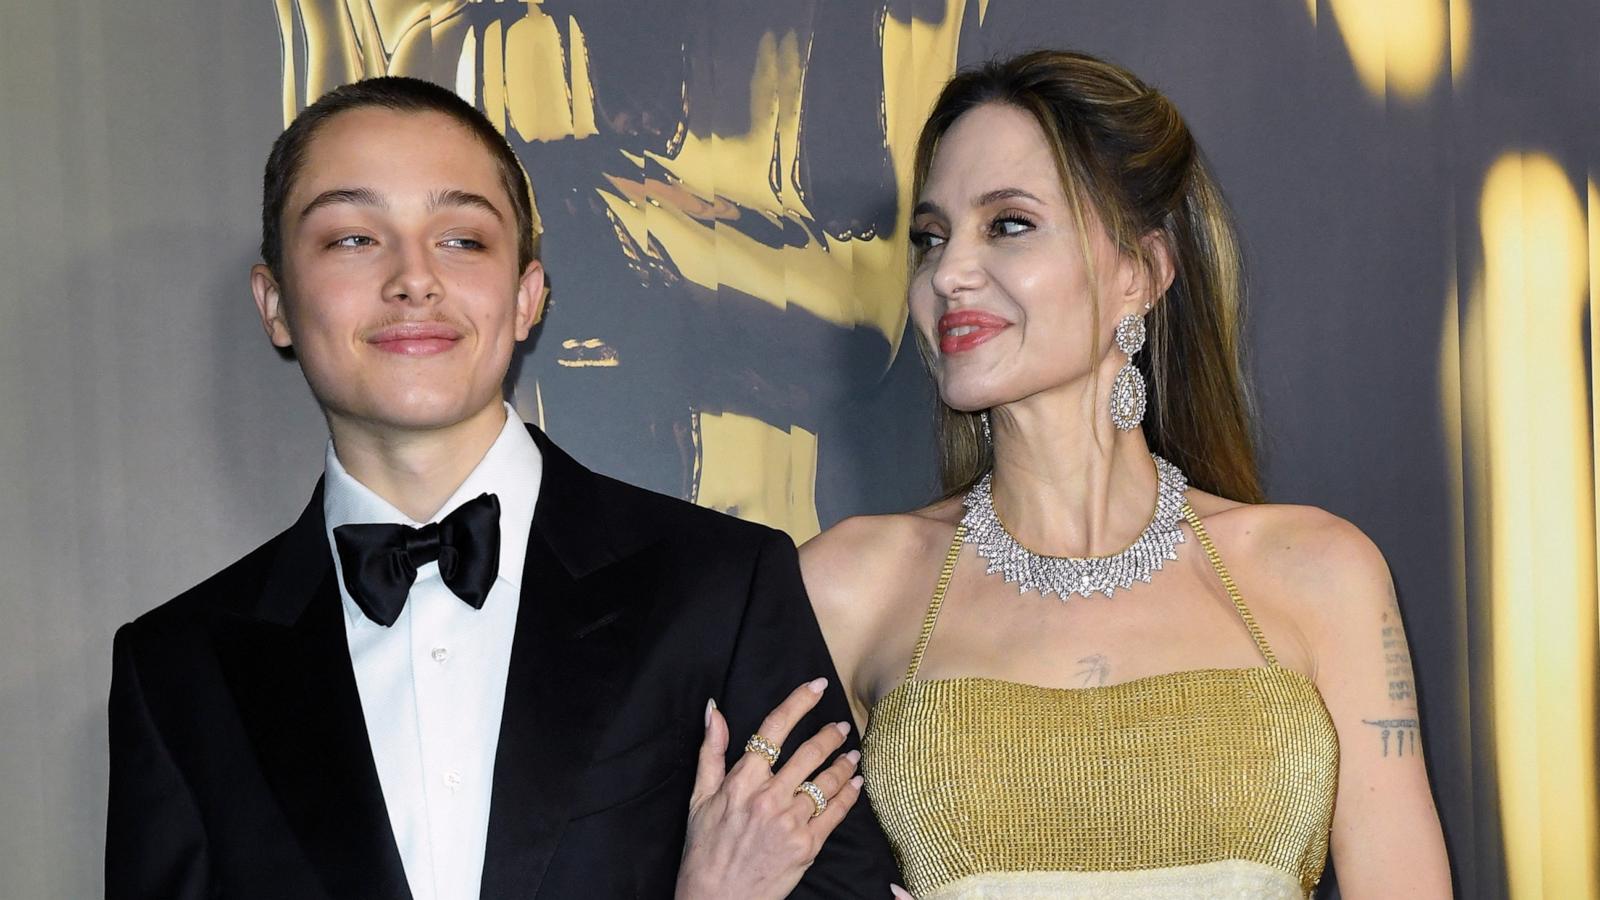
<point>511,470</point>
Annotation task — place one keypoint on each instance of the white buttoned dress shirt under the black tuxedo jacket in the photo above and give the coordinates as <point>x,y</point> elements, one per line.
<point>434,683</point>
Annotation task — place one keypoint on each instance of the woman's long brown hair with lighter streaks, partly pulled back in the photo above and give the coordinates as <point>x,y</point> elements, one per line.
<point>1129,163</point>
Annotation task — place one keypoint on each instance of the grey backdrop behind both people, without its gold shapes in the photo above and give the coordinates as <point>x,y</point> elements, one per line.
<point>150,435</point>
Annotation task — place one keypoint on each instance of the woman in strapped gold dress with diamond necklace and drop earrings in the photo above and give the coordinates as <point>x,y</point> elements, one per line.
<point>1063,693</point>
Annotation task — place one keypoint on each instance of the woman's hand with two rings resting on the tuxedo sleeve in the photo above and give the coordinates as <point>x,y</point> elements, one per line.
<point>753,830</point>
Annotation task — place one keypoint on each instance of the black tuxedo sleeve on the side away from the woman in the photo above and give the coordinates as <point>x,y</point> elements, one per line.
<point>154,840</point>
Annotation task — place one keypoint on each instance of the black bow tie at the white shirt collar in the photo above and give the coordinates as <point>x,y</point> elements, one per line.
<point>380,561</point>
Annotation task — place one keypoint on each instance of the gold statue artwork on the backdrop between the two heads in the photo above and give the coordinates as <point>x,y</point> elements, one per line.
<point>721,198</point>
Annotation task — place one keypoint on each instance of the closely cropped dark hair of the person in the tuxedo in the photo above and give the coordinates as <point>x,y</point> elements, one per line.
<point>402,95</point>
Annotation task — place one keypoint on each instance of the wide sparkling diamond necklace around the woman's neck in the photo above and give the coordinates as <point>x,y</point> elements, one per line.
<point>1065,576</point>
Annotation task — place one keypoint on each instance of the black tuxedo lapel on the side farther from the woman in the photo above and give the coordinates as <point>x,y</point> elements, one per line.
<point>289,665</point>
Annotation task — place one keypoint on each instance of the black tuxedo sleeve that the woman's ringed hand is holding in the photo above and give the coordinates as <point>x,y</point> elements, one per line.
<point>780,646</point>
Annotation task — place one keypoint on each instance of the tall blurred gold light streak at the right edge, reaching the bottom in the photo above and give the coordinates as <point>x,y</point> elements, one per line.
<point>1532,446</point>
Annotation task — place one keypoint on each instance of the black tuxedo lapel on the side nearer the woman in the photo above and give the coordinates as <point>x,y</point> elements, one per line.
<point>567,665</point>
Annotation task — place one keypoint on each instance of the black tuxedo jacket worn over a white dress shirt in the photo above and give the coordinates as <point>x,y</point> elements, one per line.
<point>239,755</point>
